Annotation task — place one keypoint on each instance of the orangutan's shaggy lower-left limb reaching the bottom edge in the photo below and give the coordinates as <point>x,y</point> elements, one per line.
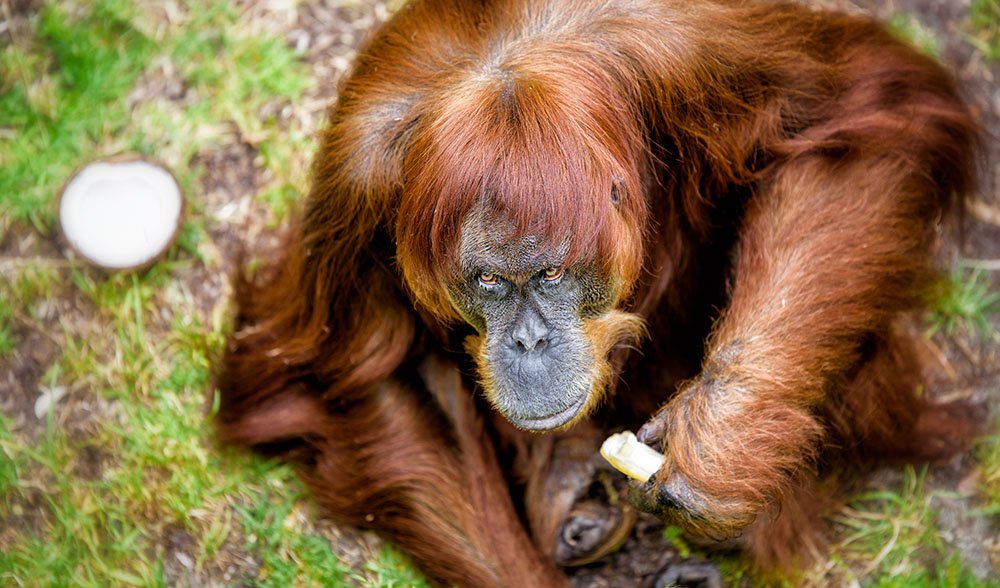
<point>421,473</point>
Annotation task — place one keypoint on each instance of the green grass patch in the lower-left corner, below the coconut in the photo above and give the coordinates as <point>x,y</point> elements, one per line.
<point>156,467</point>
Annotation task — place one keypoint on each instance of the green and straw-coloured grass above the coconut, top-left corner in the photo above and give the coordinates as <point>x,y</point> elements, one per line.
<point>65,96</point>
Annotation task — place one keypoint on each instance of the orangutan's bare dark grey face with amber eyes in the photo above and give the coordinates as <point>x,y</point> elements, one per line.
<point>537,362</point>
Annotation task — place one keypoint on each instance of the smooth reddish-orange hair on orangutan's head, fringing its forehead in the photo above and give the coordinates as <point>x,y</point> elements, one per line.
<point>539,151</point>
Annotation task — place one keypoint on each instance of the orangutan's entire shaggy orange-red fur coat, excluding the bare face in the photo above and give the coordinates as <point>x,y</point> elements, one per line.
<point>777,173</point>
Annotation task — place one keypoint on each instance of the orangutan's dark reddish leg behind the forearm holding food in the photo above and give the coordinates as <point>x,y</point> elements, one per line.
<point>880,411</point>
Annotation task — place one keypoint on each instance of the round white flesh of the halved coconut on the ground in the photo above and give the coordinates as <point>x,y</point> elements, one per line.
<point>121,215</point>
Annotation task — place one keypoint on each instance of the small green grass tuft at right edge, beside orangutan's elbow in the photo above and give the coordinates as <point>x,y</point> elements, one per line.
<point>962,299</point>
